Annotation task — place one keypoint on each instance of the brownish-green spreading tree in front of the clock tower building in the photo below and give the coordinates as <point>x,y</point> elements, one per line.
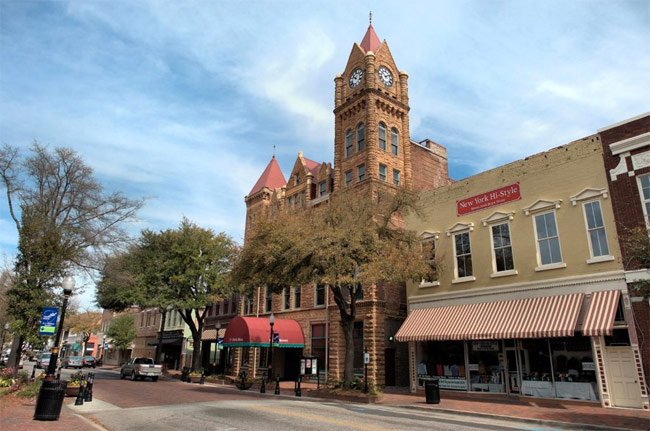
<point>354,241</point>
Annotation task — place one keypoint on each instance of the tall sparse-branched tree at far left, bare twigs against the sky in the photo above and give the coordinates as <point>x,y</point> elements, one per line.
<point>65,223</point>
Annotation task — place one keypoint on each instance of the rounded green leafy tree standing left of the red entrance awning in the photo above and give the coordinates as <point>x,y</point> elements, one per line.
<point>183,269</point>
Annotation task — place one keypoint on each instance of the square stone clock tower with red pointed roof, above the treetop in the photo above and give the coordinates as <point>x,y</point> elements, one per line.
<point>372,141</point>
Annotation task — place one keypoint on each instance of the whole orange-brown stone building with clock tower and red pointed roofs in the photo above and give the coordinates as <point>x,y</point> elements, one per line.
<point>373,150</point>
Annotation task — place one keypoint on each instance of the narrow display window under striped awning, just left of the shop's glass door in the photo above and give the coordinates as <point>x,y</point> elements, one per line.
<point>485,372</point>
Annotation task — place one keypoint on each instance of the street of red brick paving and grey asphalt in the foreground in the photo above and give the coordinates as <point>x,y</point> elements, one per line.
<point>172,405</point>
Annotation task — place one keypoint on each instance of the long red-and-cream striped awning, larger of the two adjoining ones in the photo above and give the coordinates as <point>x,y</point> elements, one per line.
<point>549,316</point>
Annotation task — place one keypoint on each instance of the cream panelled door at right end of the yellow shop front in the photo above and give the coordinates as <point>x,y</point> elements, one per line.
<point>623,379</point>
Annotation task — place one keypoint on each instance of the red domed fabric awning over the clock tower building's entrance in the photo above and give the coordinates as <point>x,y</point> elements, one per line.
<point>256,332</point>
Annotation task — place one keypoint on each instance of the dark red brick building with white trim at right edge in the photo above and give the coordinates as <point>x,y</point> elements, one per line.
<point>626,153</point>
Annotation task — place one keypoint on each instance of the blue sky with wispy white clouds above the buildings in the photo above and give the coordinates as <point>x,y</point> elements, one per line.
<point>184,103</point>
